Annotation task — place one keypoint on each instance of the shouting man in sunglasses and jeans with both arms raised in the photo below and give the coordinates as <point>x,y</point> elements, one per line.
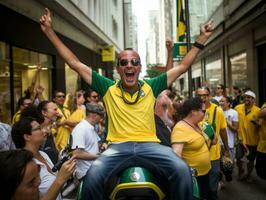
<point>129,104</point>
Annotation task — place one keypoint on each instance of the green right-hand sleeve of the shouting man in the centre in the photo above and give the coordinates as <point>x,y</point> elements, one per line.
<point>158,84</point>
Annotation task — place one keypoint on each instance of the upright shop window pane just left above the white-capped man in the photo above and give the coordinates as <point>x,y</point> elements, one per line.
<point>239,70</point>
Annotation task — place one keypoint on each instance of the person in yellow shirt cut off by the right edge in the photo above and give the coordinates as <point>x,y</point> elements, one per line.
<point>261,149</point>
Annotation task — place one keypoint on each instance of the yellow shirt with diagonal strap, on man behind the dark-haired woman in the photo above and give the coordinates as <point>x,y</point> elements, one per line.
<point>220,123</point>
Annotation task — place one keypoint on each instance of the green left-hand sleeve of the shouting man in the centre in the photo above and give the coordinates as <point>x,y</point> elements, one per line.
<point>100,84</point>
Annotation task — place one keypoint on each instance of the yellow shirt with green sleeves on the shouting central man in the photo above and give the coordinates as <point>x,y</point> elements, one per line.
<point>130,122</point>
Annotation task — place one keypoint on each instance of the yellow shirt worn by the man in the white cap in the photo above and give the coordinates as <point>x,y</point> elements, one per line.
<point>248,131</point>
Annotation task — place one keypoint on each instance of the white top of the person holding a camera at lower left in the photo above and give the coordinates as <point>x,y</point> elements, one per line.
<point>47,178</point>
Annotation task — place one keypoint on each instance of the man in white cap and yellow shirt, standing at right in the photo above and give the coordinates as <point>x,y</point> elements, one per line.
<point>248,132</point>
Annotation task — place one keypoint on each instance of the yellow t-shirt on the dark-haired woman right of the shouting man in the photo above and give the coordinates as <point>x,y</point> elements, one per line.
<point>195,151</point>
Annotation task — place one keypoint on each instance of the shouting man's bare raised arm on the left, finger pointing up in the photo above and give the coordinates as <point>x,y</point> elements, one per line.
<point>70,58</point>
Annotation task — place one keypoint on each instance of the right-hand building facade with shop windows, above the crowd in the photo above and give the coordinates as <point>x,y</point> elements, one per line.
<point>235,54</point>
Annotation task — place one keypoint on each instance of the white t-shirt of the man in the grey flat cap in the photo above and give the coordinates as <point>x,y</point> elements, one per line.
<point>84,137</point>
